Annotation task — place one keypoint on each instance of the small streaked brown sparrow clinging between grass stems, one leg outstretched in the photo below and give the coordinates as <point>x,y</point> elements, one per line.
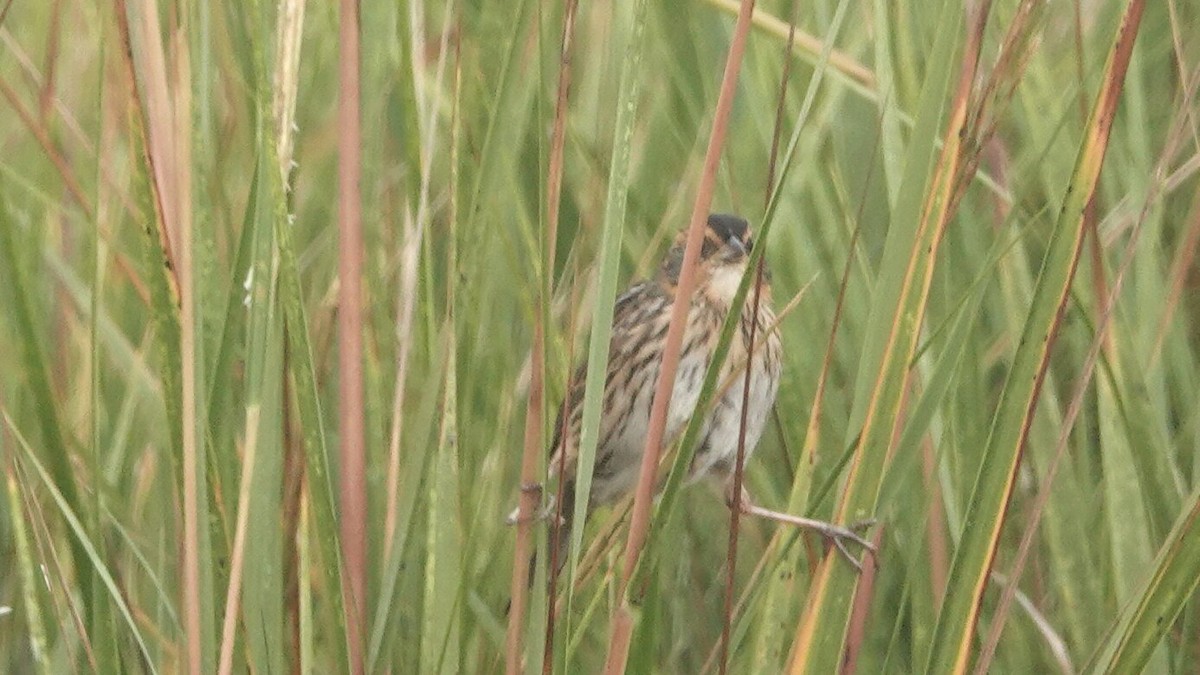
<point>641,318</point>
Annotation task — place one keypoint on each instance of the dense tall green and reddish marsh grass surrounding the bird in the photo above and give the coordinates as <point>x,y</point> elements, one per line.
<point>985,213</point>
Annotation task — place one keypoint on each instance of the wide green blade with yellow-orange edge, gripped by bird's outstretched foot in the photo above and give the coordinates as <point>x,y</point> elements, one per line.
<point>897,310</point>
